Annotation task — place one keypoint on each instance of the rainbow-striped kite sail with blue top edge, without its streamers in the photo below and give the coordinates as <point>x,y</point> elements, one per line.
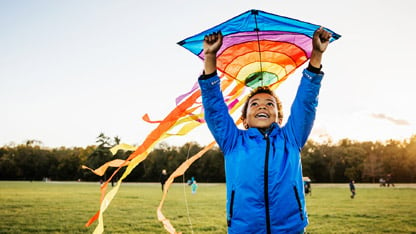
<point>259,48</point>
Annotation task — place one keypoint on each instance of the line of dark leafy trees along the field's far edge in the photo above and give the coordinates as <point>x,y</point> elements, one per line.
<point>326,162</point>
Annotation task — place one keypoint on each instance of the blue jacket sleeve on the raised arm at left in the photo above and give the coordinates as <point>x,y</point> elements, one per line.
<point>216,114</point>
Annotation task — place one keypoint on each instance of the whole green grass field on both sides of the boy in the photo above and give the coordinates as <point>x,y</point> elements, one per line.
<point>54,207</point>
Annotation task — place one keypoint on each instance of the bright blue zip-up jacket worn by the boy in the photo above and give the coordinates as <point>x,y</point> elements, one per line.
<point>263,171</point>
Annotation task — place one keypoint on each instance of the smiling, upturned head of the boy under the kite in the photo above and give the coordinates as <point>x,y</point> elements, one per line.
<point>261,111</point>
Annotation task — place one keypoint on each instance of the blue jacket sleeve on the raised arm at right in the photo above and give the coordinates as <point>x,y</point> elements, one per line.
<point>303,109</point>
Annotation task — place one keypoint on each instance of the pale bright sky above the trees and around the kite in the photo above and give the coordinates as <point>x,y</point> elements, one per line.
<point>70,70</point>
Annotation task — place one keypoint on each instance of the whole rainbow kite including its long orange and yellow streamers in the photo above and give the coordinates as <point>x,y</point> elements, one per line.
<point>259,49</point>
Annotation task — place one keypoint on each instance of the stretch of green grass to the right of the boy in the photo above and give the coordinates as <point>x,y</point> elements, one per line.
<point>373,210</point>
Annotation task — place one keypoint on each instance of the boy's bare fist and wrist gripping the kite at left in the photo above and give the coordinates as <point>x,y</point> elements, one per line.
<point>212,43</point>
